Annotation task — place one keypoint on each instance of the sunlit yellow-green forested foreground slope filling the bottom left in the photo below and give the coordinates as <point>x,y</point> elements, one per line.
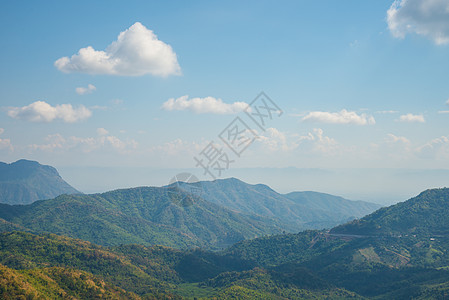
<point>59,267</point>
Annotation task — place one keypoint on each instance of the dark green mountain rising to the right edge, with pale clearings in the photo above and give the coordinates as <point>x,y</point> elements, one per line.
<point>398,252</point>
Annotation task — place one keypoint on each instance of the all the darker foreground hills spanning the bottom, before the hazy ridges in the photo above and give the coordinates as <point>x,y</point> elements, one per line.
<point>393,253</point>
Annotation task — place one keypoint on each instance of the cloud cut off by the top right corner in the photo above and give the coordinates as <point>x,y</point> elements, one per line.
<point>429,18</point>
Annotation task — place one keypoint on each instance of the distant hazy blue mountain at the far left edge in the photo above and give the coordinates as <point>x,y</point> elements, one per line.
<point>25,181</point>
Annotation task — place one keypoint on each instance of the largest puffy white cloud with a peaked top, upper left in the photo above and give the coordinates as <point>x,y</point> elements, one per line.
<point>137,51</point>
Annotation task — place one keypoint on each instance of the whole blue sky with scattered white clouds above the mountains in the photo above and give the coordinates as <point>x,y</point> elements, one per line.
<point>355,93</point>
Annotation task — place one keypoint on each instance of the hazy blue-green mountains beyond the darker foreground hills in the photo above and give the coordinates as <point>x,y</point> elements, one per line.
<point>225,212</point>
